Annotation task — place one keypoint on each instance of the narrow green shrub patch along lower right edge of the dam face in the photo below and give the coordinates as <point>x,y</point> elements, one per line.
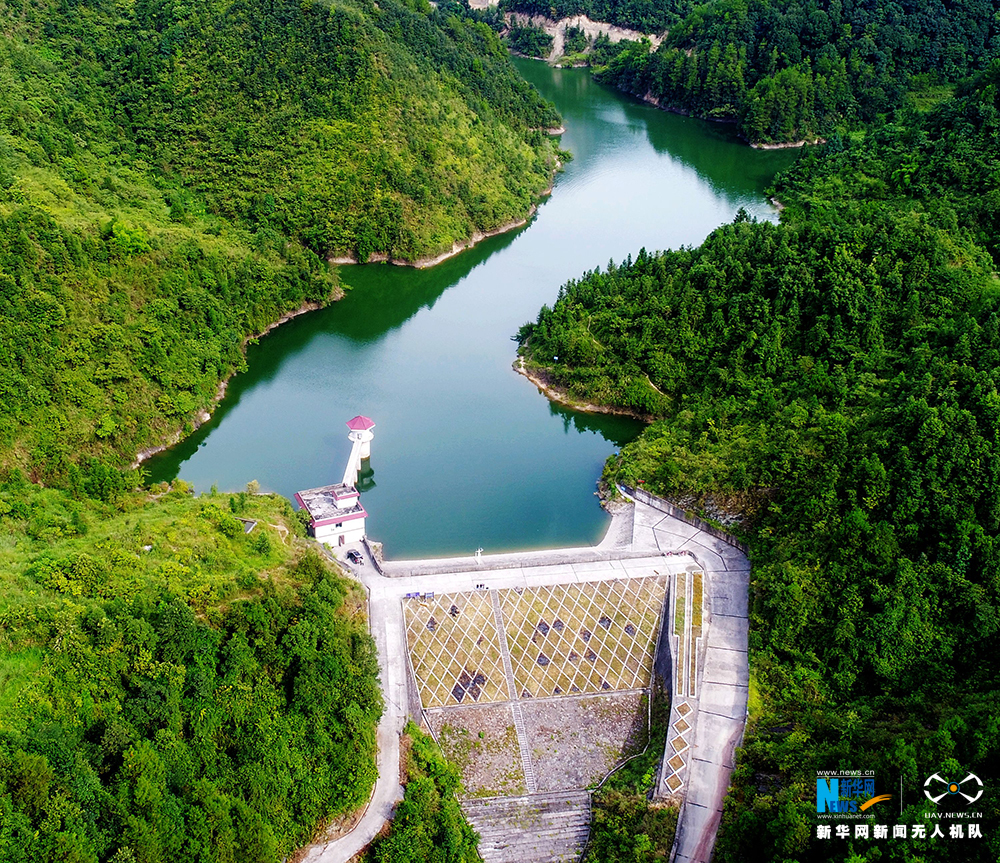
<point>625,826</point>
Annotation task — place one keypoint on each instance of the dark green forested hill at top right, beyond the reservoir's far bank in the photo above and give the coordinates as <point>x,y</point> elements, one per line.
<point>786,70</point>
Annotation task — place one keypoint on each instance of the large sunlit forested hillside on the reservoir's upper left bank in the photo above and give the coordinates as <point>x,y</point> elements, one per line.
<point>173,178</point>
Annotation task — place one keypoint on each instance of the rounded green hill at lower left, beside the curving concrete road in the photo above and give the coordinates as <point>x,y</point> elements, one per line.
<point>171,688</point>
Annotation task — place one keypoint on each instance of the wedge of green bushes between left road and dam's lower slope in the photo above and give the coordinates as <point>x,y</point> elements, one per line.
<point>428,826</point>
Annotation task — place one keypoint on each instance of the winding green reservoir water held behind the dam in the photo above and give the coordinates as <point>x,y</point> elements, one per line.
<point>466,452</point>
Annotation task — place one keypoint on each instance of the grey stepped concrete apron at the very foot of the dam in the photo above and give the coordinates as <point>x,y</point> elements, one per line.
<point>539,828</point>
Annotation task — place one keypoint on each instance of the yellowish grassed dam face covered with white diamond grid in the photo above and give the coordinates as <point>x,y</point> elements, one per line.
<point>570,639</point>
